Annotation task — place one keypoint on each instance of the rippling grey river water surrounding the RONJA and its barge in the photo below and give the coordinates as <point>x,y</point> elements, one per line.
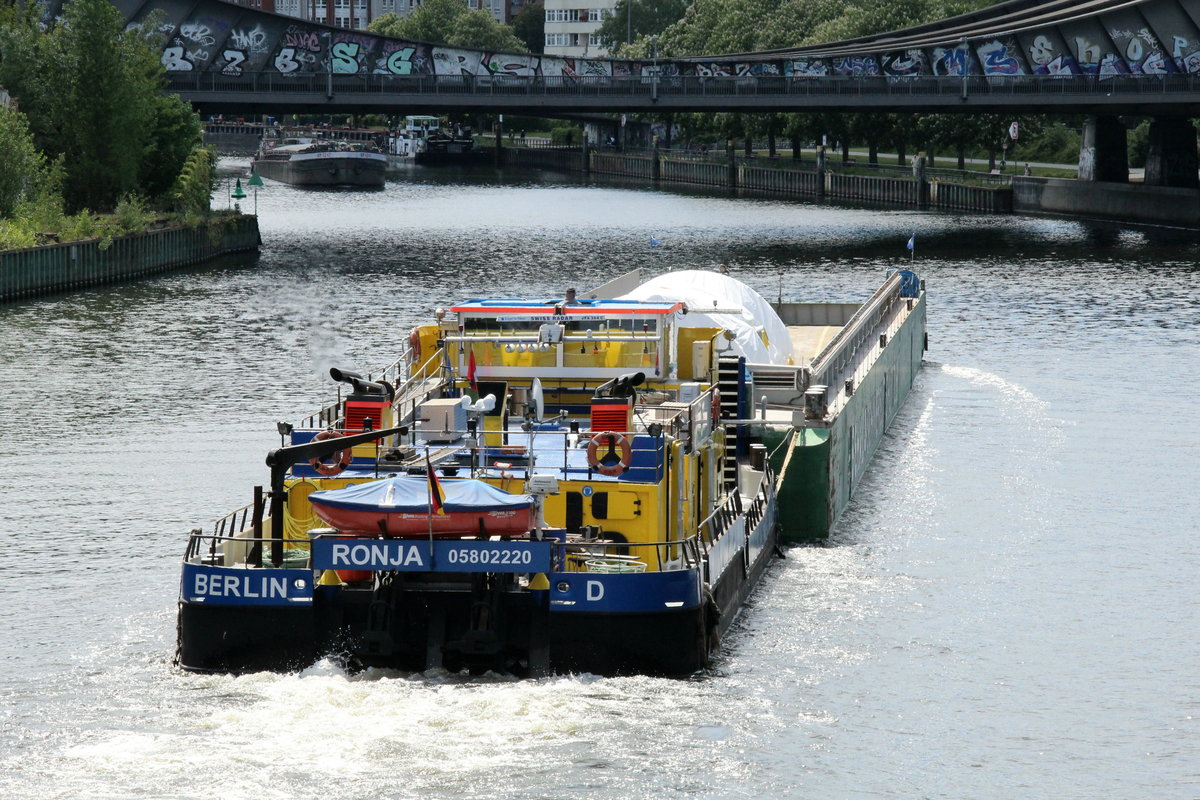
<point>1007,609</point>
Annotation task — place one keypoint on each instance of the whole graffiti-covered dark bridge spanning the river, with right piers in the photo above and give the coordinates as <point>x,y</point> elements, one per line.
<point>1101,58</point>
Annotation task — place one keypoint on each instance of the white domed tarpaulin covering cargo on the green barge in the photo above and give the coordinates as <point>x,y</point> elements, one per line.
<point>761,335</point>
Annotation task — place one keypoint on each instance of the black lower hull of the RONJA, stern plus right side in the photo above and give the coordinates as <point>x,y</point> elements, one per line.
<point>417,622</point>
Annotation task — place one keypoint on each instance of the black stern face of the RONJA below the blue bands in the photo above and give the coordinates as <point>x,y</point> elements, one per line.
<point>238,640</point>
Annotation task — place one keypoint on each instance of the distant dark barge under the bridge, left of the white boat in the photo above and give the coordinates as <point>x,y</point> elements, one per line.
<point>317,163</point>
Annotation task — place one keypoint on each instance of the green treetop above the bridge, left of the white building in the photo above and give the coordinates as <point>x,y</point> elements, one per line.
<point>449,22</point>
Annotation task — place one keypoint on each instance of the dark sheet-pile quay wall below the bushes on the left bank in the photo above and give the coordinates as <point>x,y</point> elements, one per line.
<point>74,266</point>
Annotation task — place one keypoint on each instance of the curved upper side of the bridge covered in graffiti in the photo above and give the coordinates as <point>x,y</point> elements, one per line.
<point>1161,38</point>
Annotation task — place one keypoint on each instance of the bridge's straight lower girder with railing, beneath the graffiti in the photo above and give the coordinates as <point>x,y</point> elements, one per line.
<point>1112,94</point>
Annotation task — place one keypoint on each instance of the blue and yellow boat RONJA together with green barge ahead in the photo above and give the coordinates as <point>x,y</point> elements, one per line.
<point>543,486</point>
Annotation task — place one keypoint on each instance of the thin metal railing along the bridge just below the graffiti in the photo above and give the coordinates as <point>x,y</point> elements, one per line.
<point>679,86</point>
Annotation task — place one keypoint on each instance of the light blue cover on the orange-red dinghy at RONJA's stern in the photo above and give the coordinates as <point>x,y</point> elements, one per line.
<point>411,495</point>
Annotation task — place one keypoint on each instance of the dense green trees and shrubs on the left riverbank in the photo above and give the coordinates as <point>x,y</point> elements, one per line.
<point>97,149</point>
